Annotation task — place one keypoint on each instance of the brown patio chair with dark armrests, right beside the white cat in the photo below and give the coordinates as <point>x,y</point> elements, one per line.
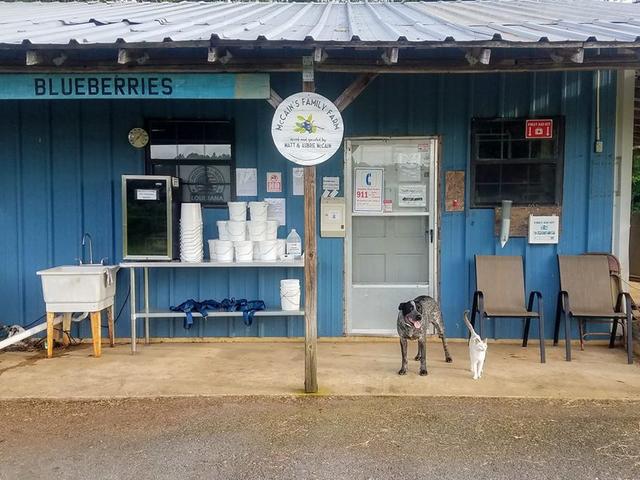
<point>500,294</point>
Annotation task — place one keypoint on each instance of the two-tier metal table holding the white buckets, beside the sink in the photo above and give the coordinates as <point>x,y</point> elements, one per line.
<point>147,314</point>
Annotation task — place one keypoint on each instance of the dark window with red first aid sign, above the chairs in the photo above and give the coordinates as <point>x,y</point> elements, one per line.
<point>505,165</point>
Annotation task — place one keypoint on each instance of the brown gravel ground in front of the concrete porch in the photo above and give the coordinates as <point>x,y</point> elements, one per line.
<point>320,437</point>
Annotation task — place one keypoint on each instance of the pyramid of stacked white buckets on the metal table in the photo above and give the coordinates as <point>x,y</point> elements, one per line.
<point>247,241</point>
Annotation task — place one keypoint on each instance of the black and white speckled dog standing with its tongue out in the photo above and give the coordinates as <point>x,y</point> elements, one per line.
<point>412,325</point>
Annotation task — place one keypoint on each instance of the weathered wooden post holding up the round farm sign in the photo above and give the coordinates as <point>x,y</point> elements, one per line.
<point>310,275</point>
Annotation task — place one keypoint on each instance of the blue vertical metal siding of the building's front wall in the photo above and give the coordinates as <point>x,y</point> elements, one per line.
<point>62,163</point>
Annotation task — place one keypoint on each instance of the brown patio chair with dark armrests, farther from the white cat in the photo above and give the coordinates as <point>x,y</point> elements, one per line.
<point>586,295</point>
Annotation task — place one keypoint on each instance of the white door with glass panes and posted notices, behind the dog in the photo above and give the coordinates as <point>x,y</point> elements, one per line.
<point>389,252</point>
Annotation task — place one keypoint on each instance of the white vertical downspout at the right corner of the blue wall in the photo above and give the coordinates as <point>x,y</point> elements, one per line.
<point>623,168</point>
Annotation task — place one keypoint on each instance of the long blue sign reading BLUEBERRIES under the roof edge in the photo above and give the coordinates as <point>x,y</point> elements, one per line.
<point>58,86</point>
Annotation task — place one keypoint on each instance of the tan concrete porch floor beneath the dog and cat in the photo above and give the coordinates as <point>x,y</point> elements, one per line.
<point>344,368</point>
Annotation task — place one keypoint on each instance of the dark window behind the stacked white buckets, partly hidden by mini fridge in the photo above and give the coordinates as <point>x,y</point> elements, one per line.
<point>199,152</point>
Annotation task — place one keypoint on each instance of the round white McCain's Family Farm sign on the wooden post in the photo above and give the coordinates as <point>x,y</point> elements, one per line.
<point>307,128</point>
